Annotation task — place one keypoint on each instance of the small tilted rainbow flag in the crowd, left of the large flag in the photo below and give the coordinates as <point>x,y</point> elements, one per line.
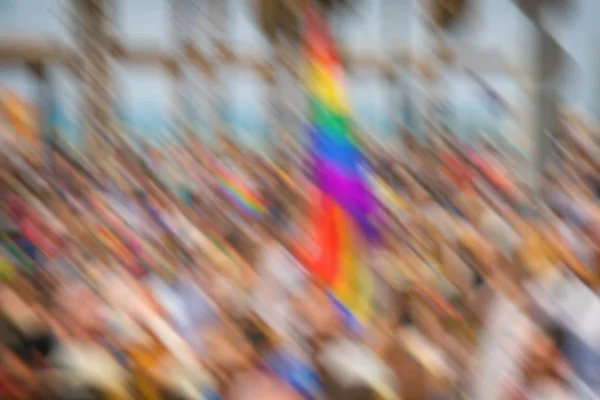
<point>240,194</point>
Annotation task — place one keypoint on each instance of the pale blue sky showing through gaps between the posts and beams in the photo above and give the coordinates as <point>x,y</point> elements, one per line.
<point>381,25</point>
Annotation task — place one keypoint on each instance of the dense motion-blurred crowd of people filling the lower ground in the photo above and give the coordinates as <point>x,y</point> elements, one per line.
<point>138,278</point>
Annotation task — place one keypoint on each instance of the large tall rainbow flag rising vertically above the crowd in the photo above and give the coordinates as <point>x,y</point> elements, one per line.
<point>342,202</point>
